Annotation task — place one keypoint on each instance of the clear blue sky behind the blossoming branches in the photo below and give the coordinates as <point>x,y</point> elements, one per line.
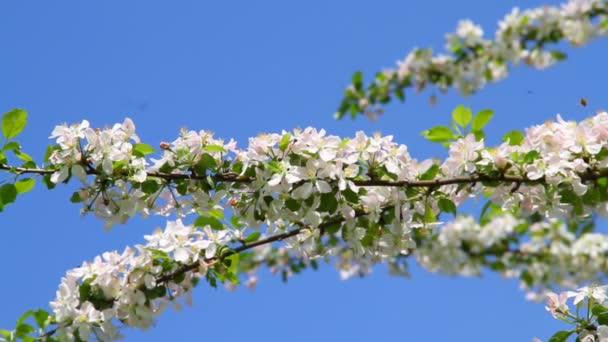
<point>240,68</point>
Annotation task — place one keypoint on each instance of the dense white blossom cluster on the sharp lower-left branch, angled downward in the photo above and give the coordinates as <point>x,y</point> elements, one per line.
<point>134,286</point>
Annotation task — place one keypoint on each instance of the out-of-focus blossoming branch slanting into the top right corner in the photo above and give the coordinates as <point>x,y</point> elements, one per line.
<point>471,61</point>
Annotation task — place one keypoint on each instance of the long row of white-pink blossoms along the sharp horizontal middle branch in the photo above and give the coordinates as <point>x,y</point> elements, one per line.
<point>367,191</point>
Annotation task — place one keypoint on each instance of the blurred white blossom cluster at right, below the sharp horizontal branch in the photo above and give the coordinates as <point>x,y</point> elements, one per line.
<point>543,255</point>
